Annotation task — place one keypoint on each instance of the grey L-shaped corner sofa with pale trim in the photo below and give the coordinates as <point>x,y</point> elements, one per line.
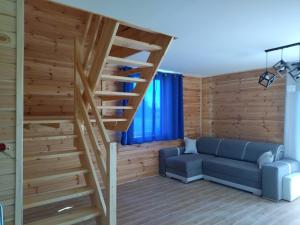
<point>230,162</point>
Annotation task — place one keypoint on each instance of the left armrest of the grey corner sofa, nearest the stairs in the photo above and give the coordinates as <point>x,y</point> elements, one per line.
<point>164,154</point>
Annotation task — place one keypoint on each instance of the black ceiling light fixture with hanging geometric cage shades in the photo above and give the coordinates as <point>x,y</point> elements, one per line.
<point>282,68</point>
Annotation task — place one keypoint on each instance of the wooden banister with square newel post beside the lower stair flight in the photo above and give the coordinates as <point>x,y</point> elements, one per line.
<point>84,99</point>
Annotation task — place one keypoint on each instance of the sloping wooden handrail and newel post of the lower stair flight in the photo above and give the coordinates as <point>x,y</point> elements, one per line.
<point>85,101</point>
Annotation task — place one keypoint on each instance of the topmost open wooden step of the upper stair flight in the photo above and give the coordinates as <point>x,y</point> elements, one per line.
<point>133,44</point>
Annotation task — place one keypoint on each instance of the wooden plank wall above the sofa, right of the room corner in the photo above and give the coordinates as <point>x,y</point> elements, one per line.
<point>236,106</point>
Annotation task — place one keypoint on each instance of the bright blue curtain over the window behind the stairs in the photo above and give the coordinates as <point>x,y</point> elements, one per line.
<point>160,115</point>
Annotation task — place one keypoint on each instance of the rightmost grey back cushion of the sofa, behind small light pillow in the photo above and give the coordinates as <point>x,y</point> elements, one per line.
<point>255,149</point>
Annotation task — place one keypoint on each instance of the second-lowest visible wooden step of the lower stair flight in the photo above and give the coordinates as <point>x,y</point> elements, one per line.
<point>57,196</point>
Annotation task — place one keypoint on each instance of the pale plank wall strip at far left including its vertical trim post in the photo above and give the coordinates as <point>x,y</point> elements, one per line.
<point>11,38</point>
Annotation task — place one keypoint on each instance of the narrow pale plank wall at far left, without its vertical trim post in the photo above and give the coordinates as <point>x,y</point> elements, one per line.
<point>8,106</point>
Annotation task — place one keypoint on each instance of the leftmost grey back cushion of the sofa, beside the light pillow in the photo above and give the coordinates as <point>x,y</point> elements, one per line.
<point>208,145</point>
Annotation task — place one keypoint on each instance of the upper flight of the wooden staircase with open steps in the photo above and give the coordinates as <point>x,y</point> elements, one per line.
<point>110,45</point>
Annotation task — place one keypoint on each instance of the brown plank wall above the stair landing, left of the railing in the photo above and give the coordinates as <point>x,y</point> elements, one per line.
<point>49,39</point>
